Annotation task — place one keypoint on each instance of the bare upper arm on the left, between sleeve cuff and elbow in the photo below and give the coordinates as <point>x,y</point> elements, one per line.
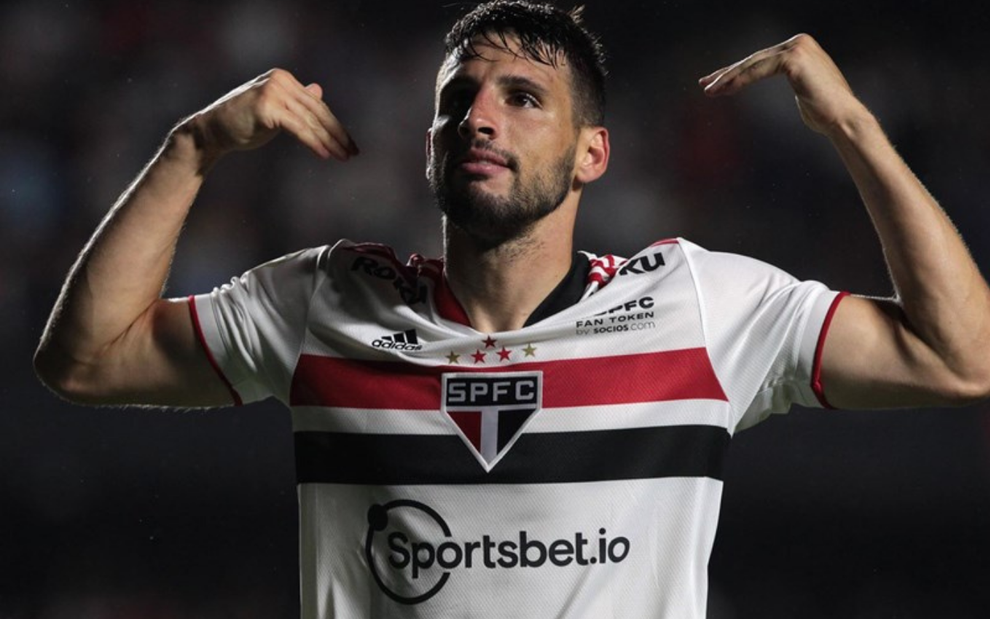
<point>159,361</point>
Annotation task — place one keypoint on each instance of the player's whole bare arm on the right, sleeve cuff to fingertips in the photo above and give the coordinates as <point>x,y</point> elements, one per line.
<point>930,345</point>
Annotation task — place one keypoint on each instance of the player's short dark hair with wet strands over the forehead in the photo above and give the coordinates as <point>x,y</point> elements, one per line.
<point>544,33</point>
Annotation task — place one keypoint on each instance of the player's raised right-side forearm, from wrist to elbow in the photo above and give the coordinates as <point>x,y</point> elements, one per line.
<point>943,296</point>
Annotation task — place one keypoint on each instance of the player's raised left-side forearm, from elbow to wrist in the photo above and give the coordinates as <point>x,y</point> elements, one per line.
<point>122,270</point>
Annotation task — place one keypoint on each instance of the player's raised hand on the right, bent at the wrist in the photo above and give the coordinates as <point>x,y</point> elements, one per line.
<point>824,98</point>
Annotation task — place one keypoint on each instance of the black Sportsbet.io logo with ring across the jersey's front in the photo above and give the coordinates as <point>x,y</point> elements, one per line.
<point>412,552</point>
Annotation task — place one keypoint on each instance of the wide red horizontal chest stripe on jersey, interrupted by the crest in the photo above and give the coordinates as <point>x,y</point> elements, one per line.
<point>626,379</point>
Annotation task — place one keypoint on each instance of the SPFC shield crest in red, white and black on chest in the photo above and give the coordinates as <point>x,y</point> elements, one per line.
<point>491,409</point>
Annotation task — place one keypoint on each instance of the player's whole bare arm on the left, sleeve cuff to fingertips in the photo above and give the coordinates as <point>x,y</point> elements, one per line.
<point>111,337</point>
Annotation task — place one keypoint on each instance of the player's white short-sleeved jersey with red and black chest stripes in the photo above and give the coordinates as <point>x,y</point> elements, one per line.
<point>571,468</point>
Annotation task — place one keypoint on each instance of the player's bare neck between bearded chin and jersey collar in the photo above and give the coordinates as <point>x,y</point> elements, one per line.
<point>499,287</point>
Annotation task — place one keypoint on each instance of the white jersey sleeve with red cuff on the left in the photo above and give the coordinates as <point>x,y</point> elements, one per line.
<point>253,327</point>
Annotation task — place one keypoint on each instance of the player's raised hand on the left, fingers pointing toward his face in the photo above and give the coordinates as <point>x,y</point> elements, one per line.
<point>254,113</point>
